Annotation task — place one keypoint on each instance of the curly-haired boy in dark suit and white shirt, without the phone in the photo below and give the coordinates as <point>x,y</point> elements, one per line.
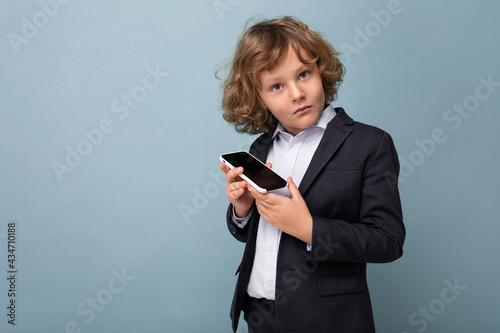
<point>304,264</point>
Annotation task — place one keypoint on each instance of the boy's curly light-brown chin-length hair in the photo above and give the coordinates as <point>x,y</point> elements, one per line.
<point>262,47</point>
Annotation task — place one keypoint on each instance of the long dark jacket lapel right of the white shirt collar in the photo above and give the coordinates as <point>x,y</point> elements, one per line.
<point>336,132</point>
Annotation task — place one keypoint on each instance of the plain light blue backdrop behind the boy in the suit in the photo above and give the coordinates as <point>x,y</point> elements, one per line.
<point>110,131</point>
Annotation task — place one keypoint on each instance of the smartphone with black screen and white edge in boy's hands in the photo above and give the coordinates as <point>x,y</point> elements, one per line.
<point>256,173</point>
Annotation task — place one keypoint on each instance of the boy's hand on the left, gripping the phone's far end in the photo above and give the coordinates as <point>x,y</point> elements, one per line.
<point>237,191</point>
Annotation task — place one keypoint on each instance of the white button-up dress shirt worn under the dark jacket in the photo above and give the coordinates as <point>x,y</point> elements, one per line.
<point>290,156</point>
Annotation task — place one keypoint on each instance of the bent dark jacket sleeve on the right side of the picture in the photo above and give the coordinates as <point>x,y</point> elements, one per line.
<point>378,234</point>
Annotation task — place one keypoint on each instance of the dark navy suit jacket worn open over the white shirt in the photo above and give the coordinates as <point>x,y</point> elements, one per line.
<point>357,219</point>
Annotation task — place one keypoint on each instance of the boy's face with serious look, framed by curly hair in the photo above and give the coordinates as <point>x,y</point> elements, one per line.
<point>293,92</point>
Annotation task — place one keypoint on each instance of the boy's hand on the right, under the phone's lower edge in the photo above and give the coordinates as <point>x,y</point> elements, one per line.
<point>290,215</point>
